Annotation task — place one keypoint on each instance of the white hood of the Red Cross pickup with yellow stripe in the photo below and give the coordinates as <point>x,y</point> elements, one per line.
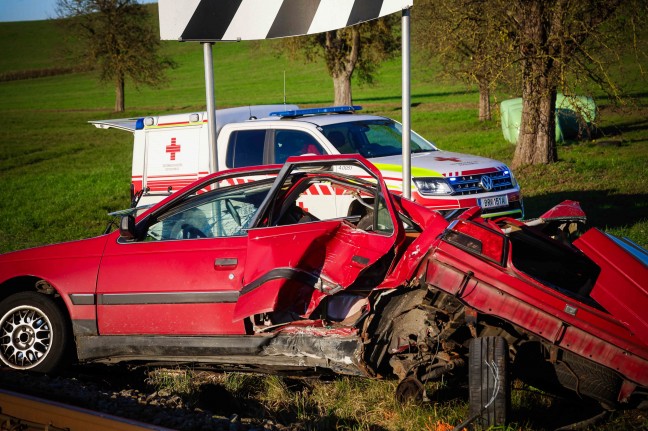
<point>440,164</point>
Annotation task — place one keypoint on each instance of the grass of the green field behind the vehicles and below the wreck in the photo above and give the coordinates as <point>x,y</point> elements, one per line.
<point>61,176</point>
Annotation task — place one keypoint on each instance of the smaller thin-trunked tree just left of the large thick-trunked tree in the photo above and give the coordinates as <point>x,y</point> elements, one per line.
<point>464,36</point>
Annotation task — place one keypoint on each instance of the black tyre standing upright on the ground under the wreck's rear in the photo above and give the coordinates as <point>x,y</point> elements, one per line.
<point>489,389</point>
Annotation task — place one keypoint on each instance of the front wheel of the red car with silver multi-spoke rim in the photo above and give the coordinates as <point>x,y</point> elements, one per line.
<point>33,333</point>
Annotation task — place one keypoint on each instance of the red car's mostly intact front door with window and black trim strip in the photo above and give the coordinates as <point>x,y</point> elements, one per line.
<point>185,275</point>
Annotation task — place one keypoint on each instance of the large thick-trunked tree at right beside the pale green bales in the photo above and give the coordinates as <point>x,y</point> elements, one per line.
<point>551,45</point>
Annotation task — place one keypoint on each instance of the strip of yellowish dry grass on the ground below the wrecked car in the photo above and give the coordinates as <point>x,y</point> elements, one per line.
<point>361,404</point>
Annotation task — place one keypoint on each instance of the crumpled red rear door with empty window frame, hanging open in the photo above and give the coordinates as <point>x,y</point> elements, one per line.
<point>305,246</point>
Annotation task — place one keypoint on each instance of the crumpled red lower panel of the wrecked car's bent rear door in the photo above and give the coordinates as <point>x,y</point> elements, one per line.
<point>291,268</point>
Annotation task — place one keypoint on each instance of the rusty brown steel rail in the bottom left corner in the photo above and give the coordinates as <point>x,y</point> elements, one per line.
<point>29,413</point>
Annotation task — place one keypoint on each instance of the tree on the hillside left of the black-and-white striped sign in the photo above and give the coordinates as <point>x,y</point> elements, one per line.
<point>116,38</point>
